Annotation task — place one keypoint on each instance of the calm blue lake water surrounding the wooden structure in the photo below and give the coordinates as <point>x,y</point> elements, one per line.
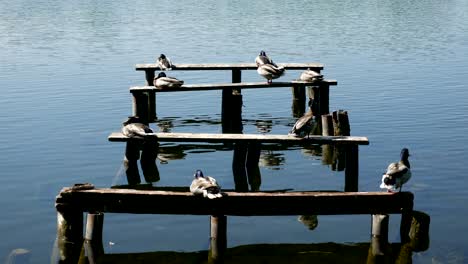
<point>66,68</point>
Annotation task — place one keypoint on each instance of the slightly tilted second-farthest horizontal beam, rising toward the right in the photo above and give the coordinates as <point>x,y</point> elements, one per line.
<point>219,86</point>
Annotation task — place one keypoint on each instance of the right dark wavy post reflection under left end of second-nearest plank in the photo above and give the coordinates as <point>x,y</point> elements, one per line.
<point>149,154</point>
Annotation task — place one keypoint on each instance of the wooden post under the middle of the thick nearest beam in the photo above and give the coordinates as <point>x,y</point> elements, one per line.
<point>218,238</point>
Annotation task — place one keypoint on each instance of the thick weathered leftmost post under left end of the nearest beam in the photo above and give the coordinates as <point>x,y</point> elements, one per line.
<point>69,233</point>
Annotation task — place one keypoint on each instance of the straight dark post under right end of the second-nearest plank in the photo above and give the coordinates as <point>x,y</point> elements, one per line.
<point>352,168</point>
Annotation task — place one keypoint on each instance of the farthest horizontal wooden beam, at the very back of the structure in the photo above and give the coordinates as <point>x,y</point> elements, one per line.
<point>228,66</point>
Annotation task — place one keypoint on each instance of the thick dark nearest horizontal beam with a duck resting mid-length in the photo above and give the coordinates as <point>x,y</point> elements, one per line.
<point>233,203</point>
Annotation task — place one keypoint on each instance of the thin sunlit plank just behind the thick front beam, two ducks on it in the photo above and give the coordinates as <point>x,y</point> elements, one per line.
<point>218,138</point>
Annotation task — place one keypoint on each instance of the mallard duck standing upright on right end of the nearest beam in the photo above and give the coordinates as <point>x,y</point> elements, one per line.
<point>398,173</point>
